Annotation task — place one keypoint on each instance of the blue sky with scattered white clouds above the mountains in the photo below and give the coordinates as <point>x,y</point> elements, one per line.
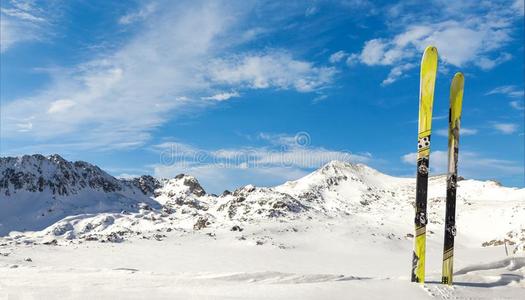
<point>238,92</point>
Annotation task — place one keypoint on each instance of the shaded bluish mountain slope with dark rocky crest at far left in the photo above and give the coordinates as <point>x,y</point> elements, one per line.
<point>36,191</point>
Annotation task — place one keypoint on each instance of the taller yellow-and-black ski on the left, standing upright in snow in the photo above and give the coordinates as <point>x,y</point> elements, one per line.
<point>426,99</point>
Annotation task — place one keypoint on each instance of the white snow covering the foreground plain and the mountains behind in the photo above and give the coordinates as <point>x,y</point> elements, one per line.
<point>342,232</point>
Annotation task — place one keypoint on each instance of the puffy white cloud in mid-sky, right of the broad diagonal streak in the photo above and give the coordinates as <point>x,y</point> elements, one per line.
<point>275,69</point>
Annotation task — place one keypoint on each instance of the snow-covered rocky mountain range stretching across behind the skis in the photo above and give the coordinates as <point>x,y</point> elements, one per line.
<point>67,201</point>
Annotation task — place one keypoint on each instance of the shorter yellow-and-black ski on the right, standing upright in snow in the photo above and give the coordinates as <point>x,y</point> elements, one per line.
<point>454,120</point>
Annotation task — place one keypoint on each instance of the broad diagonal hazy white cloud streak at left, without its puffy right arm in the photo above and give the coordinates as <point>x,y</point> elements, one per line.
<point>121,96</point>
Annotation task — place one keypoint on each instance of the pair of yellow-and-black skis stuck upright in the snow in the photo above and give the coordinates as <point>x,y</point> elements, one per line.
<point>429,64</point>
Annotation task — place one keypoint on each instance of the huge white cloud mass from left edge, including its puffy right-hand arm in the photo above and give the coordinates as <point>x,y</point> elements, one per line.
<point>177,57</point>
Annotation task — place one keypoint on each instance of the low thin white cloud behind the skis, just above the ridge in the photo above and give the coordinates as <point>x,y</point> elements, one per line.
<point>470,164</point>
